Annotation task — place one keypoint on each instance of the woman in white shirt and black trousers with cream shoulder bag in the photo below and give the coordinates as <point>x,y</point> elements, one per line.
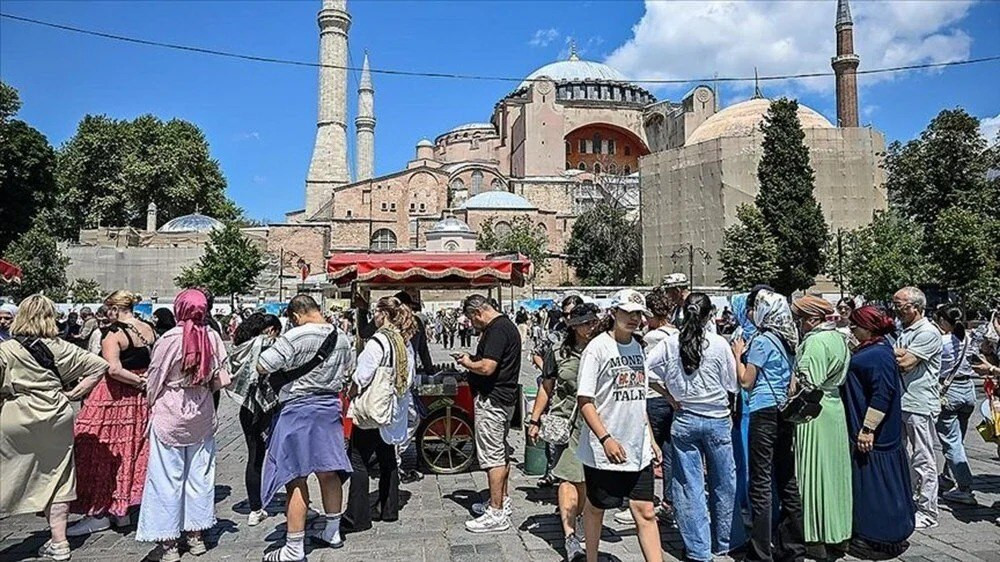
<point>389,347</point>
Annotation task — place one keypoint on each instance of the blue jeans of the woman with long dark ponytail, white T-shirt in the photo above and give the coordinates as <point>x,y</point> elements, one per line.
<point>694,438</point>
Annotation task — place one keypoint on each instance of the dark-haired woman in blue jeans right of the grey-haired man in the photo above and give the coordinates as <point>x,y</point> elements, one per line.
<point>959,390</point>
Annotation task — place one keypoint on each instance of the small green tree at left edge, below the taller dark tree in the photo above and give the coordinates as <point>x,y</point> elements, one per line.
<point>43,267</point>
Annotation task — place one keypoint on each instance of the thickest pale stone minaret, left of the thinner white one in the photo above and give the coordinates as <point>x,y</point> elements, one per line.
<point>328,168</point>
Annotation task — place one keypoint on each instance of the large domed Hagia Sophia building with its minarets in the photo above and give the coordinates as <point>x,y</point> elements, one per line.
<point>572,133</point>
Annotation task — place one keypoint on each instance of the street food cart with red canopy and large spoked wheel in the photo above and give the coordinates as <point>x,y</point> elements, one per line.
<point>445,443</point>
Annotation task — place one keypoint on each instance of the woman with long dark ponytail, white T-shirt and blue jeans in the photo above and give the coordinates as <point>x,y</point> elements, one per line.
<point>699,371</point>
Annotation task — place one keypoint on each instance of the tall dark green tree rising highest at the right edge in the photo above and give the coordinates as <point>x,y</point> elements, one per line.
<point>946,167</point>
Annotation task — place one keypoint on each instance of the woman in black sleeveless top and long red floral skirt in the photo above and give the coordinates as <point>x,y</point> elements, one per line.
<point>111,446</point>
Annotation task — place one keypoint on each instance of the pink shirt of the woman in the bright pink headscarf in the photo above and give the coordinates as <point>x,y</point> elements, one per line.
<point>183,415</point>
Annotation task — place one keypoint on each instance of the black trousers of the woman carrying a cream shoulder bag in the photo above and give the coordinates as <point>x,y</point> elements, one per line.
<point>367,446</point>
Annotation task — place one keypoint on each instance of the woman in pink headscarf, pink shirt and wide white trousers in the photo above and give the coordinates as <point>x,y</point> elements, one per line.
<point>188,363</point>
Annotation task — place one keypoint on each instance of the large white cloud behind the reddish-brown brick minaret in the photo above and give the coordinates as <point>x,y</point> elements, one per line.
<point>695,39</point>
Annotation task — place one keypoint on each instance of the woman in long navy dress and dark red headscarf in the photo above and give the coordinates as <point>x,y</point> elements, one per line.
<point>883,510</point>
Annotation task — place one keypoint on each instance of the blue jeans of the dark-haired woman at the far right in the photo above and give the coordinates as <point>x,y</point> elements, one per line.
<point>951,427</point>
